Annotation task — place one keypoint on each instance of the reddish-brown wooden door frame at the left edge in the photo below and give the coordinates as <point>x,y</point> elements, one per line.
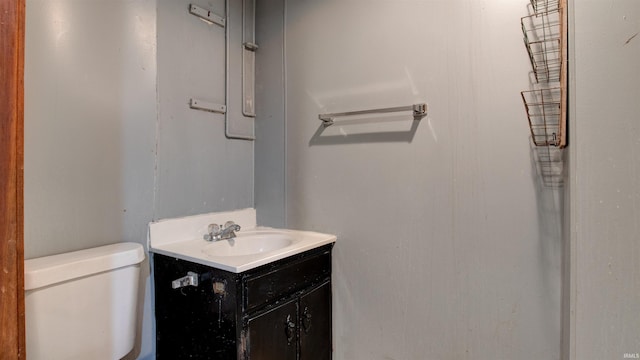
<point>12,337</point>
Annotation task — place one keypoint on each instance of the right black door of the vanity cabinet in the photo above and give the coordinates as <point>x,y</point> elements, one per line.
<point>315,324</point>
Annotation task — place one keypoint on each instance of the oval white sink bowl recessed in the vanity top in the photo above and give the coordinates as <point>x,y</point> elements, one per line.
<point>249,243</point>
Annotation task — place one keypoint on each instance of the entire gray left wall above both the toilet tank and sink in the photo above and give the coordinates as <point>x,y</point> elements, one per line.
<point>110,143</point>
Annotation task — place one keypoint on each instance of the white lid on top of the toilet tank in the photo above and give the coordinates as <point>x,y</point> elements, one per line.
<point>53,269</point>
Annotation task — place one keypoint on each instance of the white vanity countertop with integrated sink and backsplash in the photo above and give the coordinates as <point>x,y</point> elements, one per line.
<point>253,246</point>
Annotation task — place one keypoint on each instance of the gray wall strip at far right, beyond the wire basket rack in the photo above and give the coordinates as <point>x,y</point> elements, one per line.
<point>605,181</point>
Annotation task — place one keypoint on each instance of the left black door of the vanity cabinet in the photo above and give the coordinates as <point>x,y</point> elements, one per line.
<point>274,335</point>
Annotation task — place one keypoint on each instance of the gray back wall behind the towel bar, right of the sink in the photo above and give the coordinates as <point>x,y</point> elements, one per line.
<point>448,247</point>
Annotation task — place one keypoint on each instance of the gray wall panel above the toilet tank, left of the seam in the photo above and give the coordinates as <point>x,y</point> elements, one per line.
<point>90,114</point>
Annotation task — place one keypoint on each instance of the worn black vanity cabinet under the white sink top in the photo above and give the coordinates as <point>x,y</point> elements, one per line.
<point>277,311</point>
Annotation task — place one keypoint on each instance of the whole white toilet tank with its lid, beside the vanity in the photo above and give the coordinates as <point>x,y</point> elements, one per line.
<point>82,304</point>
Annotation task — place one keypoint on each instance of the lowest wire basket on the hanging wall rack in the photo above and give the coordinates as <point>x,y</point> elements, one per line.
<point>544,114</point>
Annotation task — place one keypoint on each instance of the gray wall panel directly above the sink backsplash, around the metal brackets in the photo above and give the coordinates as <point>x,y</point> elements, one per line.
<point>199,170</point>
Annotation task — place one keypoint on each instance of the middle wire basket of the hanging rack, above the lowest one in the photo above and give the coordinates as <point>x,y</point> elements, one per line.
<point>542,38</point>
